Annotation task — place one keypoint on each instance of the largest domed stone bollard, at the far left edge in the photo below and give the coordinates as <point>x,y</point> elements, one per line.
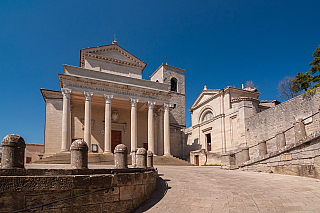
<point>13,152</point>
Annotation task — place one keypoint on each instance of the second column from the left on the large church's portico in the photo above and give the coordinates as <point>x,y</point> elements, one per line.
<point>87,119</point>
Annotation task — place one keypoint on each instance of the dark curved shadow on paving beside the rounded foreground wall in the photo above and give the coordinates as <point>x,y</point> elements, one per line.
<point>160,191</point>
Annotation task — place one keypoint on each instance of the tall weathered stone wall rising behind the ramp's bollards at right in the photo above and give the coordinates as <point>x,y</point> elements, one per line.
<point>265,125</point>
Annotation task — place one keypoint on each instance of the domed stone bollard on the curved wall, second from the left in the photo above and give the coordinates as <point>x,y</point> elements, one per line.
<point>79,154</point>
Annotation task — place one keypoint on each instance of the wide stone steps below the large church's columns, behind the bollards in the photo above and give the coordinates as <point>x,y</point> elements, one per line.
<point>107,159</point>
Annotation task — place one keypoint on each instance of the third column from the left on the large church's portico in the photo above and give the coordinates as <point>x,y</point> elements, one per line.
<point>107,124</point>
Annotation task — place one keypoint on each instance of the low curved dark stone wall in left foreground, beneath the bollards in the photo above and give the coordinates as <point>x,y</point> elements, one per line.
<point>99,190</point>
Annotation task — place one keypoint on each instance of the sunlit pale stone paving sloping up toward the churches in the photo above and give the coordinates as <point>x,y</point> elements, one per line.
<point>183,189</point>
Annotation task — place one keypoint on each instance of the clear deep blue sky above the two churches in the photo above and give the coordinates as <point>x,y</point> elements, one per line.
<point>224,43</point>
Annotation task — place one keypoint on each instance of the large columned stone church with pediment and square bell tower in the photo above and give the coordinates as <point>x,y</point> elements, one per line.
<point>106,102</point>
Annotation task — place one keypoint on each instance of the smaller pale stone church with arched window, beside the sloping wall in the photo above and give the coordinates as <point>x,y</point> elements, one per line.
<point>218,122</point>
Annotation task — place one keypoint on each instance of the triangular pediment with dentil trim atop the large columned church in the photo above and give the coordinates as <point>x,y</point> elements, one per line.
<point>111,54</point>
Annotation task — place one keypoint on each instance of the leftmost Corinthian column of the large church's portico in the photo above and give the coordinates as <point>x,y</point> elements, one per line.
<point>66,120</point>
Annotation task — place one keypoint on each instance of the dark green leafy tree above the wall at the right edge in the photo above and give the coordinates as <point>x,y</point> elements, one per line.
<point>307,81</point>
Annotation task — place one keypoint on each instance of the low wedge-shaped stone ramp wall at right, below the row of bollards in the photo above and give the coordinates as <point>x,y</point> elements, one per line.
<point>300,158</point>
